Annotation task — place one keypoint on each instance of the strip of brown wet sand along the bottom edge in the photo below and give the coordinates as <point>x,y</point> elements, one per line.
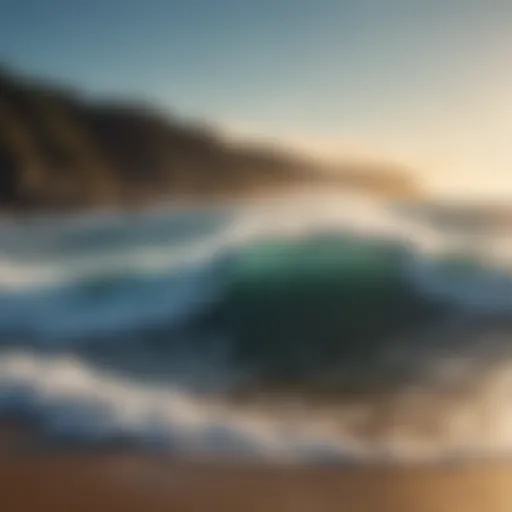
<point>34,479</point>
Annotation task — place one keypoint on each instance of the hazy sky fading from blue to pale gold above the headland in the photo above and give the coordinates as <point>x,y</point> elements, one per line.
<point>423,83</point>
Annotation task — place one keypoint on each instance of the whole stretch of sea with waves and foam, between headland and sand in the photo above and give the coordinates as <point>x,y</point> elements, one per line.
<point>330,328</point>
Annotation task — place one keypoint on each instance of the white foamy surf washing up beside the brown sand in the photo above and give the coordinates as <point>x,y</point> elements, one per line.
<point>72,403</point>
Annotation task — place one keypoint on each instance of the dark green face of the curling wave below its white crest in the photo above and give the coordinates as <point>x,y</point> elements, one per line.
<point>296,308</point>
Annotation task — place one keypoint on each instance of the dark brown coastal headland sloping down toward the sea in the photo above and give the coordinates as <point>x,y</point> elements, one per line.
<point>60,149</point>
